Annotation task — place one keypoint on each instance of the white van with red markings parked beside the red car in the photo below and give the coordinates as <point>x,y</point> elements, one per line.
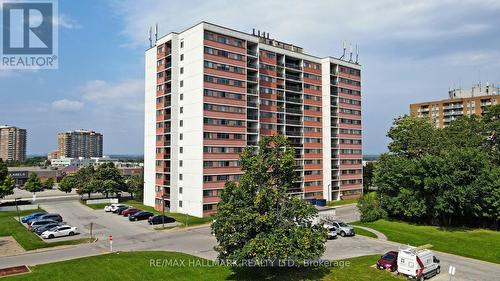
<point>417,263</point>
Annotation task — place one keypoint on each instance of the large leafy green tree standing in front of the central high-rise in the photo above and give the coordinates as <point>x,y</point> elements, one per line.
<point>257,219</point>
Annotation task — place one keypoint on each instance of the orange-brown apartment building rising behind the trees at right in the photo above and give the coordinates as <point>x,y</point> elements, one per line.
<point>460,102</point>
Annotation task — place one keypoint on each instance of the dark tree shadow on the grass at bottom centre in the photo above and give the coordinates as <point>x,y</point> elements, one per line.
<point>279,273</point>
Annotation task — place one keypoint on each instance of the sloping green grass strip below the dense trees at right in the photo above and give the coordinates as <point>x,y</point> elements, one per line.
<point>479,244</point>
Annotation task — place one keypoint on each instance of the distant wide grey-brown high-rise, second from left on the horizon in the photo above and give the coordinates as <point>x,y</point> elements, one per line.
<point>79,143</point>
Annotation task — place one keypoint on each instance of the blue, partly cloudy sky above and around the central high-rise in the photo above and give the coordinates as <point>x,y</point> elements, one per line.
<point>410,51</point>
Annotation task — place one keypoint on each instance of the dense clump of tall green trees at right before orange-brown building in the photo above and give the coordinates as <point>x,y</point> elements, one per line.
<point>448,178</point>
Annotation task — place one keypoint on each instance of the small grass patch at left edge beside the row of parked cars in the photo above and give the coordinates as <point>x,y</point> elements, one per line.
<point>27,239</point>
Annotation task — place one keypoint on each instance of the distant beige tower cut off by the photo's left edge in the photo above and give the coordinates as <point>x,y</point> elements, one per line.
<point>12,143</point>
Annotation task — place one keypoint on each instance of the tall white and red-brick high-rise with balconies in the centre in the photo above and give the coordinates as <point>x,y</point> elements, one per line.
<point>211,91</point>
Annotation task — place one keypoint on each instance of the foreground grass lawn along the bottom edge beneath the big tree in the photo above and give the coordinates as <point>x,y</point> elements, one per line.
<point>137,266</point>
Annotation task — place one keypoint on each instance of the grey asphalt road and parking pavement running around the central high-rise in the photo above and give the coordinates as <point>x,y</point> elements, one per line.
<point>199,242</point>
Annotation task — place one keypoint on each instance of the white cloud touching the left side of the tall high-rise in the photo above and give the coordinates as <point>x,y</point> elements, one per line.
<point>123,95</point>
